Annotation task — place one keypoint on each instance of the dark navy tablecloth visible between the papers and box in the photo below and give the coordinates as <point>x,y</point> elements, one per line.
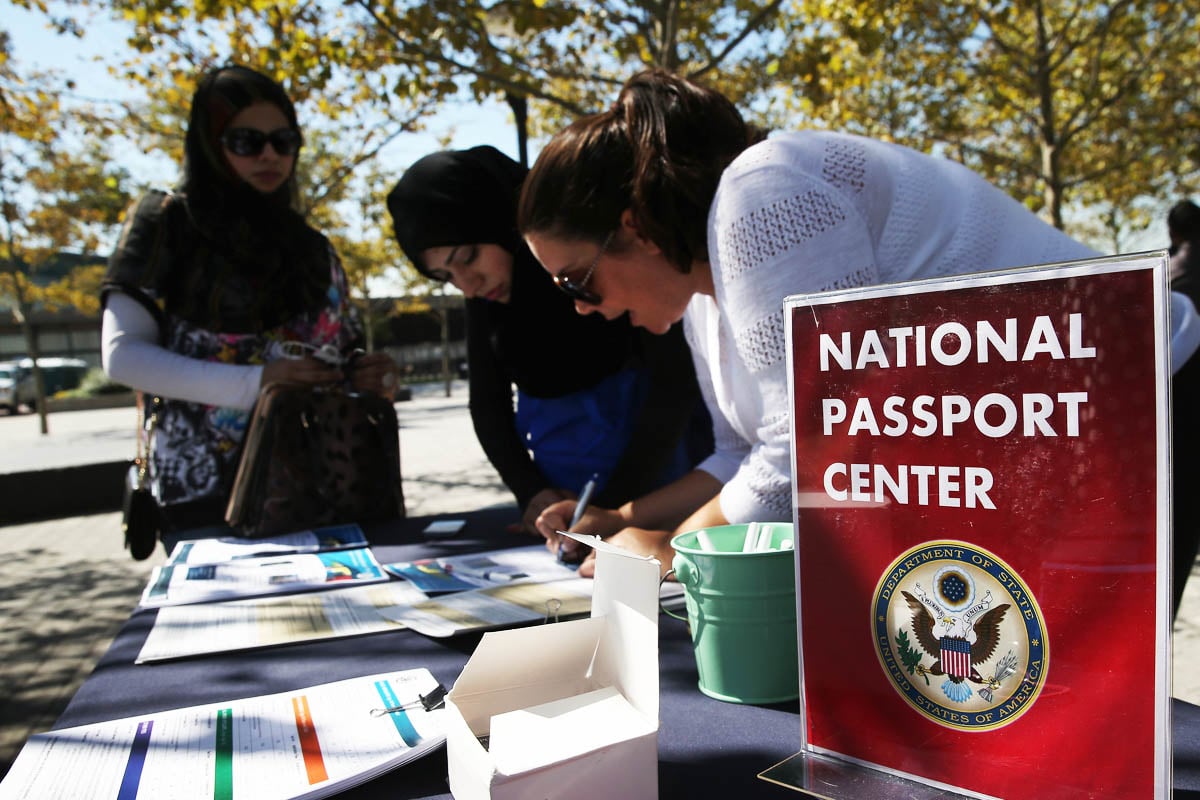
<point>707,748</point>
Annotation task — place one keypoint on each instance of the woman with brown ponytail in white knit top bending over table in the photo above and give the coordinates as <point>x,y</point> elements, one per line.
<point>669,206</point>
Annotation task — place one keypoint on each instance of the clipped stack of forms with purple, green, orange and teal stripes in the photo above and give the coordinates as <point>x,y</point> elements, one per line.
<point>310,743</point>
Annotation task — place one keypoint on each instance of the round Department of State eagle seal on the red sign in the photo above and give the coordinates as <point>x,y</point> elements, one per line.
<point>959,636</point>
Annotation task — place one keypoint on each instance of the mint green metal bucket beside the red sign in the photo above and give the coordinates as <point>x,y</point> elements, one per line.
<point>742,610</point>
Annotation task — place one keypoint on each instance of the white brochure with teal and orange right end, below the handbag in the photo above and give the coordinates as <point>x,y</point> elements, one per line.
<point>290,573</point>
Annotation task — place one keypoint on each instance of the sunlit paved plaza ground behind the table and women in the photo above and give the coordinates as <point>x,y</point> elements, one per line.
<point>67,586</point>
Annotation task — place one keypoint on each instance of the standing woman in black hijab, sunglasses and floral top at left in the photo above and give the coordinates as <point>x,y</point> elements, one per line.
<point>212,287</point>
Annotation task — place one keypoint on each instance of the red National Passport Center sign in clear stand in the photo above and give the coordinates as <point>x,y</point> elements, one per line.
<point>981,485</point>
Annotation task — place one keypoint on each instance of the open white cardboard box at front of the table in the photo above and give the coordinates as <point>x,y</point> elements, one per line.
<point>569,711</point>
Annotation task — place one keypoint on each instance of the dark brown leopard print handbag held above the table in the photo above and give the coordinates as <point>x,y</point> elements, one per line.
<point>317,458</point>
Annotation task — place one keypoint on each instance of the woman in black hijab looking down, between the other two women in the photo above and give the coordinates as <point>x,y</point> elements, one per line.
<point>593,398</point>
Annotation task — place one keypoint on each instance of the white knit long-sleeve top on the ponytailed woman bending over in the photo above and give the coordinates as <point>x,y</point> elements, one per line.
<point>817,212</point>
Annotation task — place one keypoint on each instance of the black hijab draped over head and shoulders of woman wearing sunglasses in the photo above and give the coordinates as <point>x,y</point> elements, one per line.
<point>236,261</point>
